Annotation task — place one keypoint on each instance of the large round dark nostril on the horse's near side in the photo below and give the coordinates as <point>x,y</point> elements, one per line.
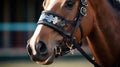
<point>41,48</point>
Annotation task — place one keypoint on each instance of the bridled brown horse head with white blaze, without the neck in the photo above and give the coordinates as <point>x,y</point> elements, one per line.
<point>59,25</point>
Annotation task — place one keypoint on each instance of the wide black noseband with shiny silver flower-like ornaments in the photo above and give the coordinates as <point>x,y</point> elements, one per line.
<point>55,21</point>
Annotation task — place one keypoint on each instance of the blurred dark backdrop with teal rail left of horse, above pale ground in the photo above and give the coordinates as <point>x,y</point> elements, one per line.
<point>17,22</point>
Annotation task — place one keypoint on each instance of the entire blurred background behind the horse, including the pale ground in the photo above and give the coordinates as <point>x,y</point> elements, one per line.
<point>18,20</point>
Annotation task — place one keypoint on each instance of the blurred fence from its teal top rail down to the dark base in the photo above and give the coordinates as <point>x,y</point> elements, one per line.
<point>13,40</point>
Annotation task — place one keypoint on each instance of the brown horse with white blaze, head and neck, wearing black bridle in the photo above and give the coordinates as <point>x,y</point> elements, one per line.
<point>64,23</point>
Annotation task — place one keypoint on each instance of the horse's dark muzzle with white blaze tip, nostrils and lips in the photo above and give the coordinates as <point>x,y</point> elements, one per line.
<point>42,55</point>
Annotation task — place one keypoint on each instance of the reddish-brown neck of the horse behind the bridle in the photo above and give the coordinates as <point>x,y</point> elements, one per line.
<point>104,38</point>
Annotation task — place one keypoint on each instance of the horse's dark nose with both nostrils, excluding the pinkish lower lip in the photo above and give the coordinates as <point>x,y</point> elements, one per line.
<point>41,52</point>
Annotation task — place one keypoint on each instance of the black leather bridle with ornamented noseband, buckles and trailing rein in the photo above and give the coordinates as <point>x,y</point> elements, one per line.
<point>50,19</point>
